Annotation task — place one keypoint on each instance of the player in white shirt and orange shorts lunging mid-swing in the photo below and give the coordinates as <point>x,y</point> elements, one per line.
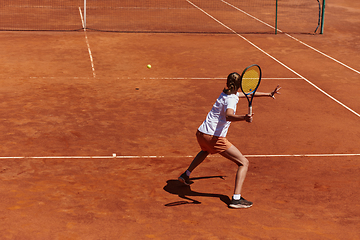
<point>211,136</point>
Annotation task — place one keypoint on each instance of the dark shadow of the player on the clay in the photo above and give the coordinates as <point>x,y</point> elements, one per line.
<point>185,192</point>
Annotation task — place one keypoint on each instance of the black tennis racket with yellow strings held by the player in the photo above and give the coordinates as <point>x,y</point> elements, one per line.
<point>249,83</point>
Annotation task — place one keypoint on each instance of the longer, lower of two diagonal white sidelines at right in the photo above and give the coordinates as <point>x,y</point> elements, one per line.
<point>275,59</point>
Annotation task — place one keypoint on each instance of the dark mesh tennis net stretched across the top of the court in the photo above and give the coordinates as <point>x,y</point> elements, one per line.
<point>172,16</point>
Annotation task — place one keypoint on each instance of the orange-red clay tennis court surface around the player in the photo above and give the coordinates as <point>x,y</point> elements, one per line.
<point>92,141</point>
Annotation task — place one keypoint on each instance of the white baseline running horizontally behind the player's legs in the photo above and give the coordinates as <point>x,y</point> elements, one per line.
<point>114,156</point>
